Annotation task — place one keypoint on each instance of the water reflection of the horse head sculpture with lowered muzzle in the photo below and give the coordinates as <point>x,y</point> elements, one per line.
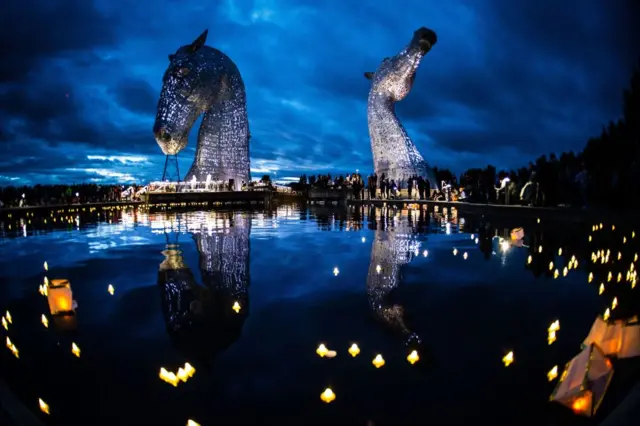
<point>204,320</point>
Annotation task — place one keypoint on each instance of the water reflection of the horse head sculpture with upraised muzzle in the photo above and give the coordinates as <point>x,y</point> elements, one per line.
<point>394,246</point>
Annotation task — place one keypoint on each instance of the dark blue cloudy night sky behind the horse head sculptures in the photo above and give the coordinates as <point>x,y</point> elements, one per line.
<point>507,81</point>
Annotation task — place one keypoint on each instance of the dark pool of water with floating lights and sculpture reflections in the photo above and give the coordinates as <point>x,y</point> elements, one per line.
<point>247,297</point>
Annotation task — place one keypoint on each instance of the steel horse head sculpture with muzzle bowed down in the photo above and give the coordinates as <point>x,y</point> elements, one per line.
<point>201,79</point>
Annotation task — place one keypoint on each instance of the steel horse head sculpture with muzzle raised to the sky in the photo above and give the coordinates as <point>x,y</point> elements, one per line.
<point>394,154</point>
